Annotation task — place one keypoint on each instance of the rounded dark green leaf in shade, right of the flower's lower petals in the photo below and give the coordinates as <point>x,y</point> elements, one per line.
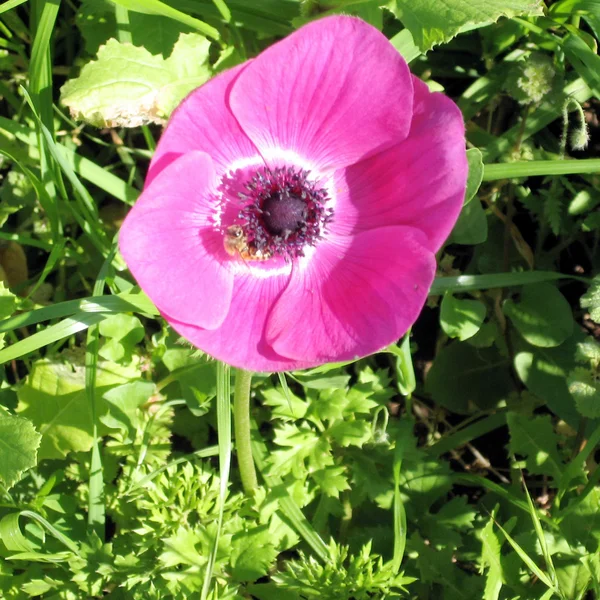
<point>542,316</point>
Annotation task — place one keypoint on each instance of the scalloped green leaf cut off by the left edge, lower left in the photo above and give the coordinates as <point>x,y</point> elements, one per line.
<point>19,442</point>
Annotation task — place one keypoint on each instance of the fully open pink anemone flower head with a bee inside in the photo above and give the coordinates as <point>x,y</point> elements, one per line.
<point>294,205</point>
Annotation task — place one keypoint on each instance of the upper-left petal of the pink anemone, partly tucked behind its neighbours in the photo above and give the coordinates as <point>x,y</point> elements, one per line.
<point>204,122</point>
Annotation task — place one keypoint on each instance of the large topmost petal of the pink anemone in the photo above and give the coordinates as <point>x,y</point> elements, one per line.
<point>333,92</point>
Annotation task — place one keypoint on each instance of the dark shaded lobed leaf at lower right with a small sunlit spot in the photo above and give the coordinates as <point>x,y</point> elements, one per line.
<point>535,439</point>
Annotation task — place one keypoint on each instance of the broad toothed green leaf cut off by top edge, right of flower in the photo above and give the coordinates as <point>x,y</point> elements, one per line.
<point>433,22</point>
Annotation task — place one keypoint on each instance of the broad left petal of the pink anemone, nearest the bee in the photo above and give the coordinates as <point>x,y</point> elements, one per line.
<point>172,248</point>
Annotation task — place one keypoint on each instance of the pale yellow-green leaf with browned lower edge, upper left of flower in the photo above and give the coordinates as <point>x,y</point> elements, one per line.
<point>128,87</point>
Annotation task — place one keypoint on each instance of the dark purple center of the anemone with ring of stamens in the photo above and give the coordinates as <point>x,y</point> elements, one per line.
<point>284,211</point>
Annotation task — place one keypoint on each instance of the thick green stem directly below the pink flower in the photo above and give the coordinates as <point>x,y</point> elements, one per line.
<point>241,423</point>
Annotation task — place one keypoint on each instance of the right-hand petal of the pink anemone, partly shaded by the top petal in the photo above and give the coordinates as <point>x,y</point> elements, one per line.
<point>419,182</point>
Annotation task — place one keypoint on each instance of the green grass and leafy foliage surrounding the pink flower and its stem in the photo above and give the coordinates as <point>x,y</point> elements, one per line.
<point>458,463</point>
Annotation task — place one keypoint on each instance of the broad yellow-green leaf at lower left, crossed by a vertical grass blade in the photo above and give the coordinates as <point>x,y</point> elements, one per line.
<point>53,397</point>
